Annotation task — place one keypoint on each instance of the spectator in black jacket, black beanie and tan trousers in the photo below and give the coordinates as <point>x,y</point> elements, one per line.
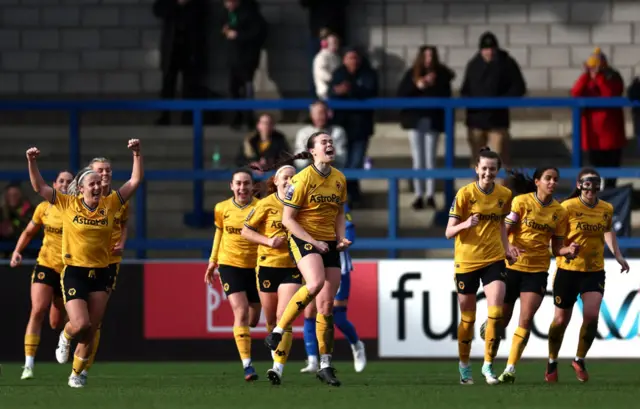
<point>491,73</point>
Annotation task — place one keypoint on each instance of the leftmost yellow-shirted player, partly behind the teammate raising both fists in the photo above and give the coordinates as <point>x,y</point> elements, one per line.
<point>45,279</point>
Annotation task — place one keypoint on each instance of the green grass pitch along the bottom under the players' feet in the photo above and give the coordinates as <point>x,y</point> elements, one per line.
<point>386,385</point>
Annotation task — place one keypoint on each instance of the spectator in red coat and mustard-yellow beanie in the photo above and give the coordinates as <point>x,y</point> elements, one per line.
<point>603,129</point>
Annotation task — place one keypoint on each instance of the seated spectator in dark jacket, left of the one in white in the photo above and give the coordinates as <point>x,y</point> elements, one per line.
<point>263,147</point>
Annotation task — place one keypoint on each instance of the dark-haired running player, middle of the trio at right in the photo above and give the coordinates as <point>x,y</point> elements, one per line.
<point>536,220</point>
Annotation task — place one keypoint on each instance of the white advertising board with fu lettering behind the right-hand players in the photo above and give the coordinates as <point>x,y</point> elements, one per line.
<point>419,314</point>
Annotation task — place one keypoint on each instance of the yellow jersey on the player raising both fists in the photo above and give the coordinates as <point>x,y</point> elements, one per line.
<point>86,232</point>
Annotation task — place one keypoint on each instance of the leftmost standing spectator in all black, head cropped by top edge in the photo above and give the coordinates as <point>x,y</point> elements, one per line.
<point>183,48</point>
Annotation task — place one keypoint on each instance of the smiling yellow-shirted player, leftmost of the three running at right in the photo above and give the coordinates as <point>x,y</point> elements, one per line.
<point>476,220</point>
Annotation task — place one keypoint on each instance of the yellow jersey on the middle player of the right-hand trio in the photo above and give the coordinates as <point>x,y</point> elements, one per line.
<point>534,225</point>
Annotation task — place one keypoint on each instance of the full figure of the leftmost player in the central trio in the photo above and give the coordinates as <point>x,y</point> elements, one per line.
<point>234,259</point>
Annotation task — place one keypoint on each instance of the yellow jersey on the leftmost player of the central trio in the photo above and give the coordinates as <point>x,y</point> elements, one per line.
<point>234,249</point>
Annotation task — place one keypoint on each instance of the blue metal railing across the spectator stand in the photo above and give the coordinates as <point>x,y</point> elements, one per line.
<point>199,174</point>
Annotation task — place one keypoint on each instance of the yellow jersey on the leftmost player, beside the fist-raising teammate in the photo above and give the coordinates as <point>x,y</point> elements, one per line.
<point>49,217</point>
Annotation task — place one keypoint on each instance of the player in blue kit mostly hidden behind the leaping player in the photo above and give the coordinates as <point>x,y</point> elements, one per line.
<point>339,313</point>
